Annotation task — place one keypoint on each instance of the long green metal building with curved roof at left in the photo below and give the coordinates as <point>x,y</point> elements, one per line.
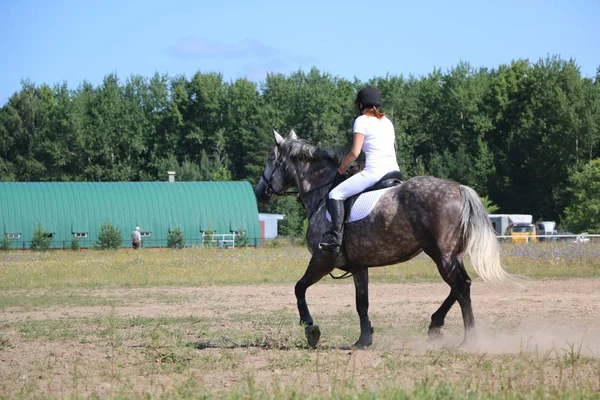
<point>77,210</point>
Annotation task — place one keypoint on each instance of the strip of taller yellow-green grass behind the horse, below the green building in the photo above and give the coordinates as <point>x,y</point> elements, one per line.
<point>249,266</point>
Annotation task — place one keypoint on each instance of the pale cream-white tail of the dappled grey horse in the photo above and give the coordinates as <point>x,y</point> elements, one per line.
<point>479,238</point>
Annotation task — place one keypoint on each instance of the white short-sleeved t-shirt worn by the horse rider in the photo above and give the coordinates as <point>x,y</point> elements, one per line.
<point>379,147</point>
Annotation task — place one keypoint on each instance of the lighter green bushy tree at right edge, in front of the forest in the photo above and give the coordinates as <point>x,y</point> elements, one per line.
<point>583,211</point>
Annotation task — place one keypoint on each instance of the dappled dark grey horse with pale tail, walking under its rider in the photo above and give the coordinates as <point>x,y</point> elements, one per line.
<point>442,218</point>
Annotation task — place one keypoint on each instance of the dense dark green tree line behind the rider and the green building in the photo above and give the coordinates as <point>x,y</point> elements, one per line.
<point>521,134</point>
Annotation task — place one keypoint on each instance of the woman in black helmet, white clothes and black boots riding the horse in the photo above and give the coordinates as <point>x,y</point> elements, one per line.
<point>373,134</point>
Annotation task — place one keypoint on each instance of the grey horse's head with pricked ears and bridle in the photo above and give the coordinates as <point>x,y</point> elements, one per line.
<point>276,178</point>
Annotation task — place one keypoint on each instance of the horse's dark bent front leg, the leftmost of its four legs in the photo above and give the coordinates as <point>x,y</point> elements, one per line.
<point>320,265</point>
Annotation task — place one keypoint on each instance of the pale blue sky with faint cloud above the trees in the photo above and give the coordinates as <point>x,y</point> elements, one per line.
<point>80,40</point>
